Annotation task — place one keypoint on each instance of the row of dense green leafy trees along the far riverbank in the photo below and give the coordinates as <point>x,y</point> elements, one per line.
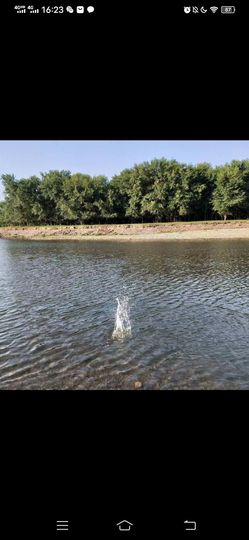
<point>160,190</point>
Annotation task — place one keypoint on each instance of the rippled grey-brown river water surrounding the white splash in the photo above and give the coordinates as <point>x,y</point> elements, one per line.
<point>189,315</point>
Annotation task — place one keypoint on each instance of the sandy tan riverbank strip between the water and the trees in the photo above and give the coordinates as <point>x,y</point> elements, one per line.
<point>167,231</point>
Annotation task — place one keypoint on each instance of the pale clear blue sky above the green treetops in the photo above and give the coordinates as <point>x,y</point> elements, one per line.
<point>25,158</point>
